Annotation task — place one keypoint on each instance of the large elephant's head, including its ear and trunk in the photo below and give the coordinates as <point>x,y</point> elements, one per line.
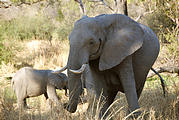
<point>109,38</point>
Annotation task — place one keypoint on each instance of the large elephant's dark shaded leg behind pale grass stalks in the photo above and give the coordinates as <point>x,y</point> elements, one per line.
<point>102,92</point>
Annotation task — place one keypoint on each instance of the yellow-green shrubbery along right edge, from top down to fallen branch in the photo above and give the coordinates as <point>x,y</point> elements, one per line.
<point>164,22</point>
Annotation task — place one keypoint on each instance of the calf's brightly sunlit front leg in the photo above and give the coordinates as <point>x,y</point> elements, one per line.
<point>51,92</point>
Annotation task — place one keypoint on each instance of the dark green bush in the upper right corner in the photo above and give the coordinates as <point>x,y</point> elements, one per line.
<point>164,19</point>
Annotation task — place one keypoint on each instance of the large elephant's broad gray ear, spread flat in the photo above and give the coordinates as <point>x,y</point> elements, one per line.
<point>124,37</point>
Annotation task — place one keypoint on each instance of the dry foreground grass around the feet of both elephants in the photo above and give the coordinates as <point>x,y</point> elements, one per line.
<point>152,102</point>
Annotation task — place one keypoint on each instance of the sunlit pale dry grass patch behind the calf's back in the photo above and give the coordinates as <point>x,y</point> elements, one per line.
<point>43,54</point>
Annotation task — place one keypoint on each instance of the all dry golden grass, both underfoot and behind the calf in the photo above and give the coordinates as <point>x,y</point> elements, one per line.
<point>42,55</point>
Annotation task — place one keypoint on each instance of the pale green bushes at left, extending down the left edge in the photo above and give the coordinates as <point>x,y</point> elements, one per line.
<point>20,29</point>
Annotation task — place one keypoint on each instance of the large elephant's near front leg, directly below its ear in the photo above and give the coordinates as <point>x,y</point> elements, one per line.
<point>125,71</point>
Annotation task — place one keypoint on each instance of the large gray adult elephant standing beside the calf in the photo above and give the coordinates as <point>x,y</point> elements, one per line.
<point>120,53</point>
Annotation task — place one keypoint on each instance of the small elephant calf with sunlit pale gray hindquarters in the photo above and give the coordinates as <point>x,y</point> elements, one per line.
<point>29,82</point>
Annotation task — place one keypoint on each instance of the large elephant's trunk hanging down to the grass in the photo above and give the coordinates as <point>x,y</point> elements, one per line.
<point>74,81</point>
